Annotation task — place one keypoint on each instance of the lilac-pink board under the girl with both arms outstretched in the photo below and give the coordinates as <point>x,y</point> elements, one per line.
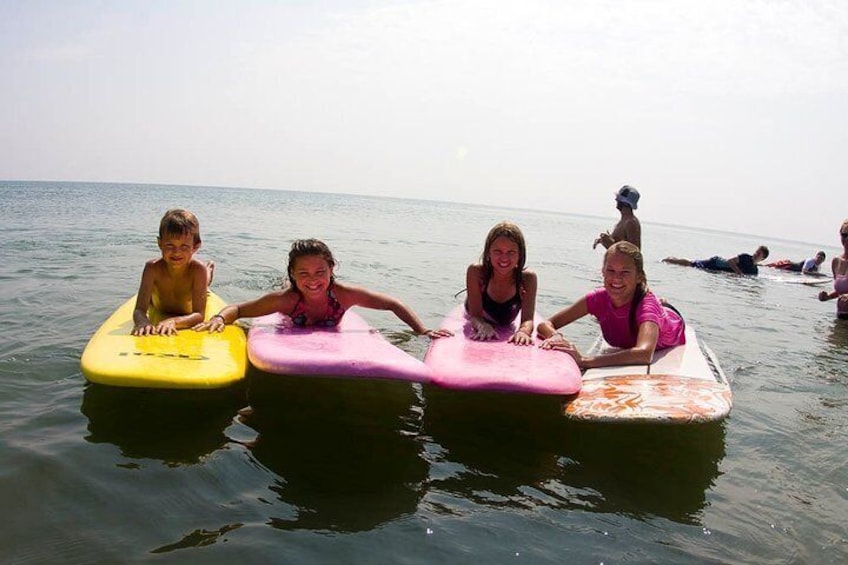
<point>351,349</point>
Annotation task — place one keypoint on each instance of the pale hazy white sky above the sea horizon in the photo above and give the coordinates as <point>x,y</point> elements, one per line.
<point>725,114</point>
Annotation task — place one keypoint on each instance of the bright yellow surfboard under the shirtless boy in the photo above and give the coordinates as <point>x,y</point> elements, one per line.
<point>188,360</point>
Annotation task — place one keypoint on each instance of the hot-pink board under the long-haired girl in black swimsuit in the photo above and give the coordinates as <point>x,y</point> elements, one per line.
<point>459,362</point>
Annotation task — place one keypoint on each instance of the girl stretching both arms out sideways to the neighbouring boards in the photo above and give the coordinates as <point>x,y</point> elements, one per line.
<point>314,297</point>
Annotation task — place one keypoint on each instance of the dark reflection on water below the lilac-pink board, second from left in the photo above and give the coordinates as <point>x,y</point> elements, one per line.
<point>344,453</point>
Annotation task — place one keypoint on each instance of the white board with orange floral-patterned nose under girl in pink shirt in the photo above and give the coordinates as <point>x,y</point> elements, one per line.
<point>684,384</point>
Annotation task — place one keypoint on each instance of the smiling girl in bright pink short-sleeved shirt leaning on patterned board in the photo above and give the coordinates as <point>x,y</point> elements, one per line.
<point>631,317</point>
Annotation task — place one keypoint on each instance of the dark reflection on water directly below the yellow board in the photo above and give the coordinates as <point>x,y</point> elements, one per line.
<point>178,427</point>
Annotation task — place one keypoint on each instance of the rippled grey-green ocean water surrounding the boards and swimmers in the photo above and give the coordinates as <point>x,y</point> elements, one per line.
<point>330,470</point>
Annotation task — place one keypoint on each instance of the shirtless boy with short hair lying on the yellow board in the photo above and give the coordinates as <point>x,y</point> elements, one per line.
<point>176,283</point>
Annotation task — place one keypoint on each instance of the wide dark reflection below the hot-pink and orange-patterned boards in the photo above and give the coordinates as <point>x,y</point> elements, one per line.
<point>513,450</point>
